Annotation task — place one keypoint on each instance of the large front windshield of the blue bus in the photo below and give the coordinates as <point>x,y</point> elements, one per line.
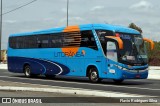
<point>134,52</point>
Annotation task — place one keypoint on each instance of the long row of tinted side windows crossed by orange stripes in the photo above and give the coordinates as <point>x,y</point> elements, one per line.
<point>55,40</point>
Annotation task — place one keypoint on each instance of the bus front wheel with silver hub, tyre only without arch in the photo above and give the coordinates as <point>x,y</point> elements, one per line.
<point>93,75</point>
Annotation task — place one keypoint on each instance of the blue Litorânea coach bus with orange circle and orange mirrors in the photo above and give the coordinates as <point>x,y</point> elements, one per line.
<point>96,51</point>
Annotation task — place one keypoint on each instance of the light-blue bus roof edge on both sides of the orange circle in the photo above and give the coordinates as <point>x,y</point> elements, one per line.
<point>115,28</point>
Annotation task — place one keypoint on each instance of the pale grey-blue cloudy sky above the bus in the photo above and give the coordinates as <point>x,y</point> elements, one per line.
<point>45,14</point>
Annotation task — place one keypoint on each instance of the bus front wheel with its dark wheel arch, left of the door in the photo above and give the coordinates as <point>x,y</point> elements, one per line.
<point>92,74</point>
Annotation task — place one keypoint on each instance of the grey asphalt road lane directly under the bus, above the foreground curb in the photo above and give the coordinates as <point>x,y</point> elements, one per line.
<point>142,86</point>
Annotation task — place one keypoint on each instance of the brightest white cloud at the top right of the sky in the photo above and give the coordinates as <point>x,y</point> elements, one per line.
<point>142,5</point>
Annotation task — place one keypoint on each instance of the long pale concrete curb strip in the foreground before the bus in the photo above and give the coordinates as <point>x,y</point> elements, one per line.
<point>62,90</point>
